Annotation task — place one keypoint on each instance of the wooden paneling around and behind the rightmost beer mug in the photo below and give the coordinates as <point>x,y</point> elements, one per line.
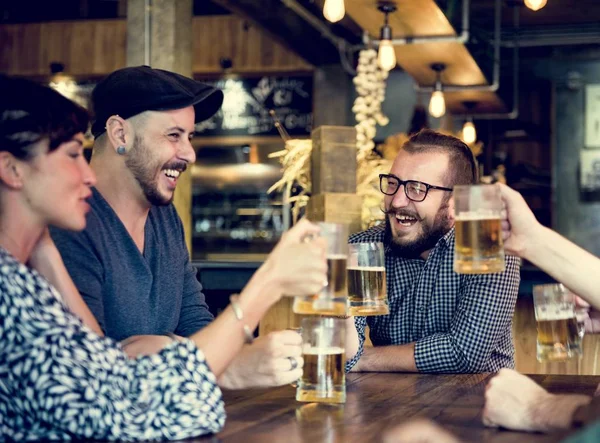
<point>525,333</point>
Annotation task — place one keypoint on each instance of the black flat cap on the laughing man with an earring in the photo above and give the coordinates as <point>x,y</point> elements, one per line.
<point>131,91</point>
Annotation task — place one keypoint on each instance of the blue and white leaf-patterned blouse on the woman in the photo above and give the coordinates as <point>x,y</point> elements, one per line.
<point>61,381</point>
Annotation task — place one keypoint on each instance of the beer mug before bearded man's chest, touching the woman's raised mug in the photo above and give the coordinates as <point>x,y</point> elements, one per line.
<point>367,288</point>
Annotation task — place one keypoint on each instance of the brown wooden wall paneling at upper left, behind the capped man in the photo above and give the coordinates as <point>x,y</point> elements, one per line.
<point>97,47</point>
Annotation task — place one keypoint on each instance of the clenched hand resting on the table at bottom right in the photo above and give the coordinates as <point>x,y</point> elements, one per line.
<point>514,401</point>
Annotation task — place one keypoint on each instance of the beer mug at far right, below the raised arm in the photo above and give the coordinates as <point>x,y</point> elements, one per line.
<point>558,335</point>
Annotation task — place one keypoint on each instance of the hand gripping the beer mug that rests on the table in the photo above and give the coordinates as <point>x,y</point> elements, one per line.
<point>272,360</point>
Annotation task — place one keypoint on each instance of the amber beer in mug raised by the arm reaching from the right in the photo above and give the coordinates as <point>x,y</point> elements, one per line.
<point>478,244</point>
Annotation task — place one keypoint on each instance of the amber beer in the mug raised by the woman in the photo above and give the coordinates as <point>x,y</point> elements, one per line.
<point>333,299</point>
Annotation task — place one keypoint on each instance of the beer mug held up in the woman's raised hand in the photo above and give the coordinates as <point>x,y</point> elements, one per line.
<point>333,298</point>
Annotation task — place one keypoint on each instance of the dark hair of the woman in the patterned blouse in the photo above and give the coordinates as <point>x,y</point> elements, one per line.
<point>30,112</point>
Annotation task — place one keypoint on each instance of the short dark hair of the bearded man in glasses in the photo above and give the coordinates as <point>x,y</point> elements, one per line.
<point>462,161</point>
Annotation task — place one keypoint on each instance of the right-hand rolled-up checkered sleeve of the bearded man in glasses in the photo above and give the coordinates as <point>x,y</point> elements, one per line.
<point>483,318</point>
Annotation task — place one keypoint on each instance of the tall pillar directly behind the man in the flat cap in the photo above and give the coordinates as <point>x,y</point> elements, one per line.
<point>159,34</point>
